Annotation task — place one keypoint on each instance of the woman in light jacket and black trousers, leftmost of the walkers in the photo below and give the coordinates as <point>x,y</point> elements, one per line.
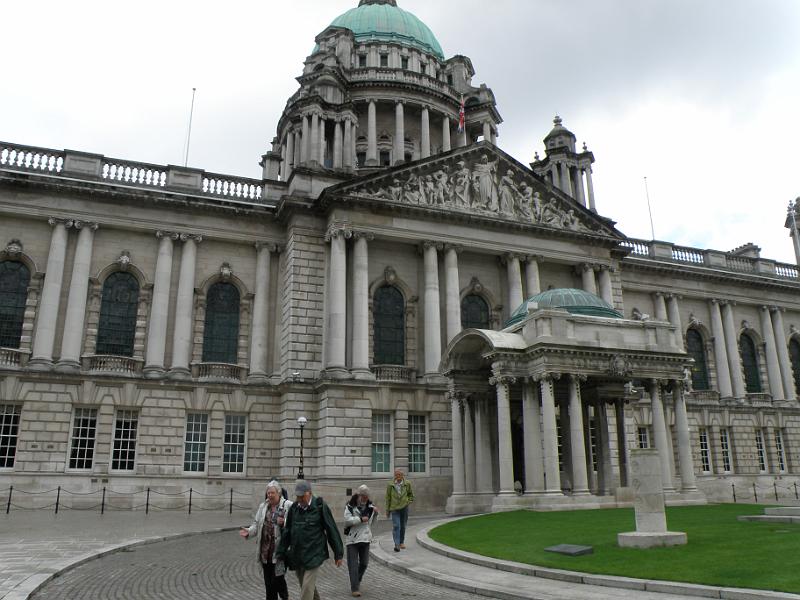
<point>267,528</point>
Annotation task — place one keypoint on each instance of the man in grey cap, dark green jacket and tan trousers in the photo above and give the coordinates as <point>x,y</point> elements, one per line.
<point>309,530</point>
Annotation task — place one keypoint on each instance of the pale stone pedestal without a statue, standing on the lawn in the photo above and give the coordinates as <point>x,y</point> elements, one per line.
<point>651,521</point>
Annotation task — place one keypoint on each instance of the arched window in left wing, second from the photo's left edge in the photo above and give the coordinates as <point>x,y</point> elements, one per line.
<point>118,309</point>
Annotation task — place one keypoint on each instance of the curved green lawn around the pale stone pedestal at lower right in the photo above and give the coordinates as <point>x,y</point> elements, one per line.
<point>721,550</point>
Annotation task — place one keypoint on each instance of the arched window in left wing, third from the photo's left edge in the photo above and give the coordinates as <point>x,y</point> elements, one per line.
<point>221,333</point>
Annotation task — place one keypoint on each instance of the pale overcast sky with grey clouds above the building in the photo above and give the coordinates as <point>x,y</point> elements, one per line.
<point>700,96</point>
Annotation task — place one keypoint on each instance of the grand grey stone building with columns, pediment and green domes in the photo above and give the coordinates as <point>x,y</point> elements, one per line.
<point>423,299</point>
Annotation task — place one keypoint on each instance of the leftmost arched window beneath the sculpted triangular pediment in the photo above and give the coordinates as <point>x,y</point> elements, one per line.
<point>389,335</point>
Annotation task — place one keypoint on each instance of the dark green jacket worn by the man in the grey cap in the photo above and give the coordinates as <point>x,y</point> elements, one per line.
<point>307,534</point>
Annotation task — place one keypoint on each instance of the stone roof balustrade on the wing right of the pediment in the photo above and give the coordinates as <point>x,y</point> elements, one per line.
<point>726,261</point>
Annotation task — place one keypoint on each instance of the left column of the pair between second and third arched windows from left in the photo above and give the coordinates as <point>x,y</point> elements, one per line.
<point>159,310</point>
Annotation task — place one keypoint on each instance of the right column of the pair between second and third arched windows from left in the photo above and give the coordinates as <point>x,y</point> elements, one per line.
<point>184,305</point>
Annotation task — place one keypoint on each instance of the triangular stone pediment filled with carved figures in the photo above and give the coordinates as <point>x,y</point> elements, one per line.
<point>479,180</point>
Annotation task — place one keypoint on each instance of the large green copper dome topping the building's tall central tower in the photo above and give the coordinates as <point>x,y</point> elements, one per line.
<point>382,20</point>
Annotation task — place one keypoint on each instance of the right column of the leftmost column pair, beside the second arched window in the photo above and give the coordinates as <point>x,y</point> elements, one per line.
<point>74,322</point>
